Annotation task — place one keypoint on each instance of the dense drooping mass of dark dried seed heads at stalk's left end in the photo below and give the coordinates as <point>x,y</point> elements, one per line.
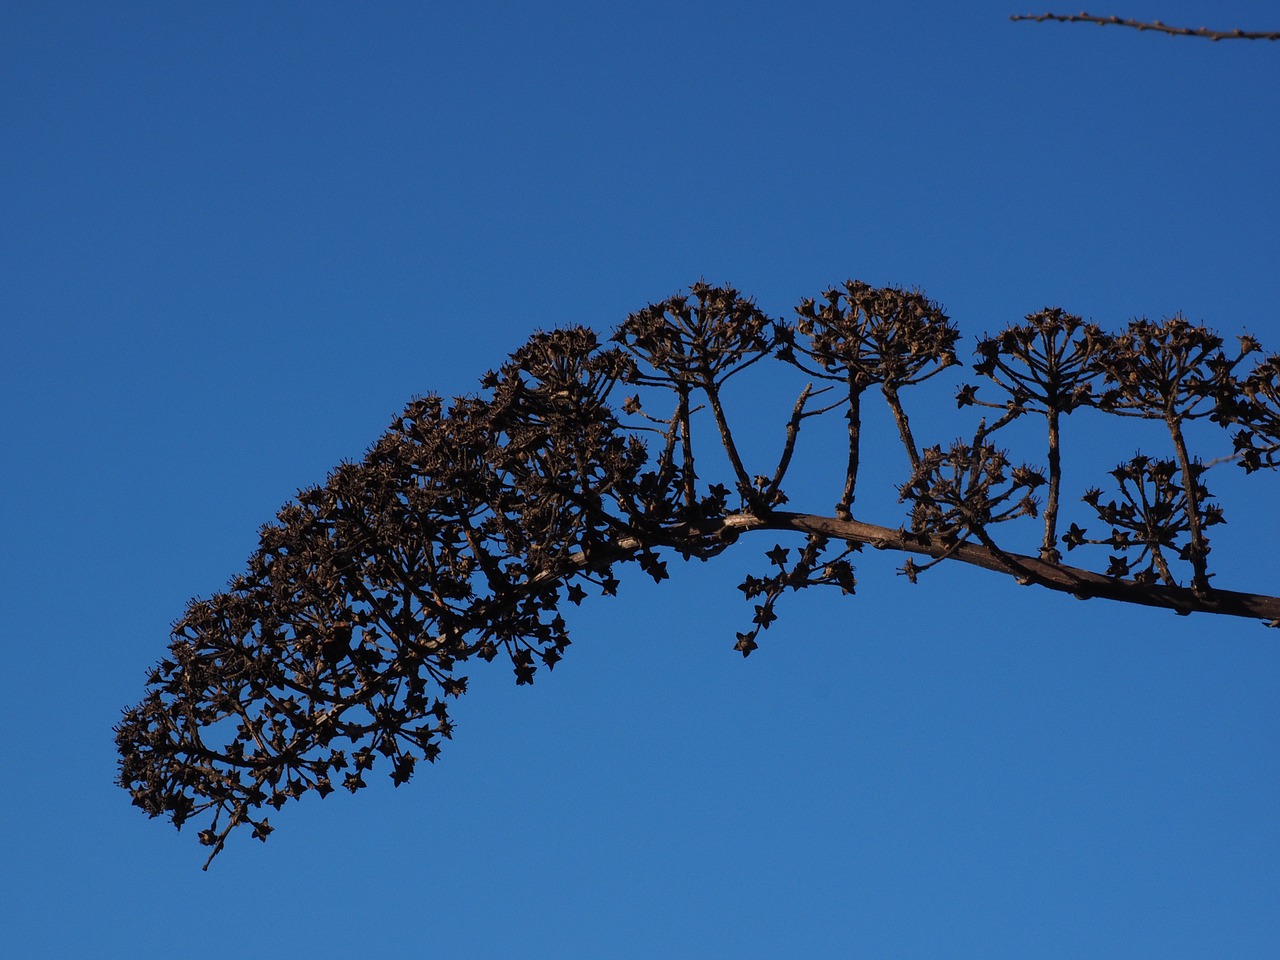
<point>456,537</point>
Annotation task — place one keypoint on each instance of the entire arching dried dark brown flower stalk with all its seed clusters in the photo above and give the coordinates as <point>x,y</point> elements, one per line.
<point>470,523</point>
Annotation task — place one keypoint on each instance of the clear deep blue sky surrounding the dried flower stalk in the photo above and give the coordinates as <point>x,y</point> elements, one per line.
<point>236,237</point>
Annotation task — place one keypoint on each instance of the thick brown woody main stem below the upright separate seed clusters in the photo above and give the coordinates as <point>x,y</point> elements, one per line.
<point>1084,584</point>
